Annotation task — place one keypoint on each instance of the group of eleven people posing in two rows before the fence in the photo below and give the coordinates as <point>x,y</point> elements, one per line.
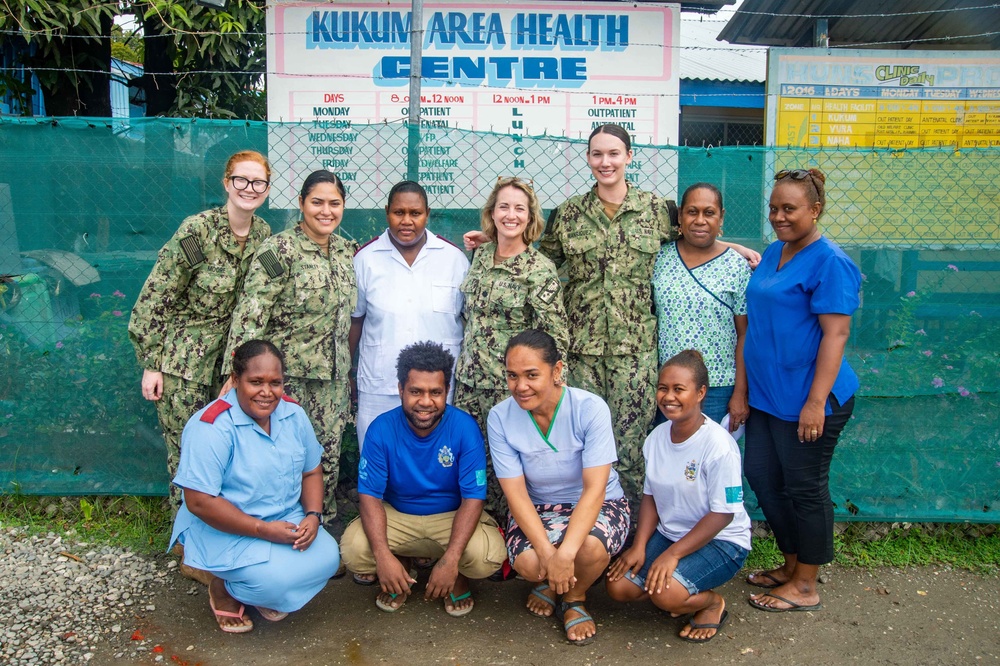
<point>503,414</point>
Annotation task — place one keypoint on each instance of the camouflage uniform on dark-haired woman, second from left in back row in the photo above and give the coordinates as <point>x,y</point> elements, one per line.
<point>302,301</point>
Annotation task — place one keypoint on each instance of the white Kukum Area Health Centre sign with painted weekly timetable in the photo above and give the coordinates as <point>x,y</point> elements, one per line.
<point>512,68</point>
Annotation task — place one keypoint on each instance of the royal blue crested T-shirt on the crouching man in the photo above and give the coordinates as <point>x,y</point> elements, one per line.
<point>422,476</point>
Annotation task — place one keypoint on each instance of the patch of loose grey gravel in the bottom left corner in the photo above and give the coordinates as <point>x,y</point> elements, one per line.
<point>63,598</point>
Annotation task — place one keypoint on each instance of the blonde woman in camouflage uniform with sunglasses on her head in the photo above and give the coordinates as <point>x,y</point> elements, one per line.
<point>510,287</point>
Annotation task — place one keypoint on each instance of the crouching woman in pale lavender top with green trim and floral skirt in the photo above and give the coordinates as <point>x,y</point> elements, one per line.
<point>552,449</point>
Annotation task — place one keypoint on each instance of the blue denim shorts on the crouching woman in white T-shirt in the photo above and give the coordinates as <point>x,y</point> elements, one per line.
<point>712,565</point>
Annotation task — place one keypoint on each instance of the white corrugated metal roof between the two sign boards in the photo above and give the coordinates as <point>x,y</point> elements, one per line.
<point>702,57</point>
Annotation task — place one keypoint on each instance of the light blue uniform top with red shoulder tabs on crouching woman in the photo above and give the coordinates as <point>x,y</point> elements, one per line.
<point>259,474</point>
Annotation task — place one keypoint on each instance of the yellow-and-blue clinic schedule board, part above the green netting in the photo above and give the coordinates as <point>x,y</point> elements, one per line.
<point>884,99</point>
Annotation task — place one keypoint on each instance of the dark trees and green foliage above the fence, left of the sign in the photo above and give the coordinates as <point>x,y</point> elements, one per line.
<point>199,61</point>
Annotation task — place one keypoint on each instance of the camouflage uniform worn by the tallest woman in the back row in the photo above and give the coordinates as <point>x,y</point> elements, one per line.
<point>609,304</point>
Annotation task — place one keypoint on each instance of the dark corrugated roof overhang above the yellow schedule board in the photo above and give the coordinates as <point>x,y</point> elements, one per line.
<point>896,24</point>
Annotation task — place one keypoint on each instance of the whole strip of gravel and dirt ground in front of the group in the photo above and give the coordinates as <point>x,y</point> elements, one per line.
<point>63,601</point>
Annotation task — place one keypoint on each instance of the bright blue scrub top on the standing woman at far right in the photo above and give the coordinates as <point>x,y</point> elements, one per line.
<point>783,331</point>
